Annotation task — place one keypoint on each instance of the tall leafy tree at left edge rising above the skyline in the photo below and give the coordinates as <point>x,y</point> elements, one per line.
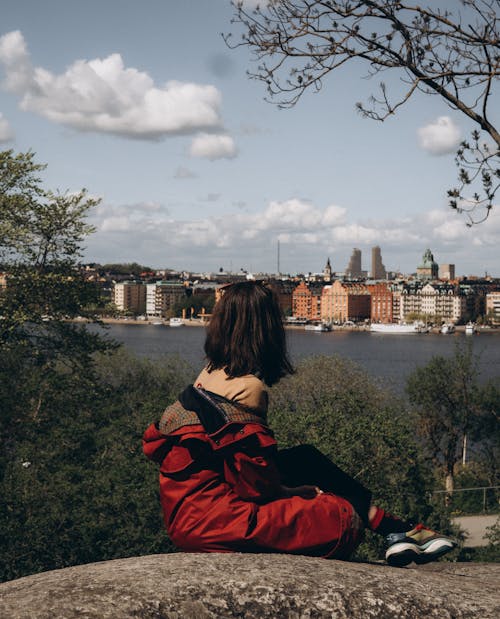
<point>41,236</point>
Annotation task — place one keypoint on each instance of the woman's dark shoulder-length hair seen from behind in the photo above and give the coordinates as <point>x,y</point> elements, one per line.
<point>245,334</point>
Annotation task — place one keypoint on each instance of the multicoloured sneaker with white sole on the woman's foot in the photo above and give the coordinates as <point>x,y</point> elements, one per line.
<point>420,545</point>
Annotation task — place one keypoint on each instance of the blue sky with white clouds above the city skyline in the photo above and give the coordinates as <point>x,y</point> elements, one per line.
<point>145,106</point>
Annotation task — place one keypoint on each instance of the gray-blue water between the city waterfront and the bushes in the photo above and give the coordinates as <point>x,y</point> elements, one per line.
<point>390,358</point>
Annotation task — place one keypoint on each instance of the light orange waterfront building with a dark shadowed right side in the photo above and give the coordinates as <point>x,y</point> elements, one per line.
<point>343,301</point>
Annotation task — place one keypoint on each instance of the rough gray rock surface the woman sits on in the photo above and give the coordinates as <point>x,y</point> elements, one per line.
<point>202,586</point>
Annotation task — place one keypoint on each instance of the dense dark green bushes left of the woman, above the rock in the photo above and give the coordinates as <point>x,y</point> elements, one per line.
<point>76,487</point>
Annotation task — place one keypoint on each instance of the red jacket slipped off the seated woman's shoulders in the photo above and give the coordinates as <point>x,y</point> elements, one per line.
<point>221,493</point>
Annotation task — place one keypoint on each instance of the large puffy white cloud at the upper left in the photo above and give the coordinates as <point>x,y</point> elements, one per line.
<point>105,96</point>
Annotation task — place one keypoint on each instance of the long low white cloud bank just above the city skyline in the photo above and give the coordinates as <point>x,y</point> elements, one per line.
<point>308,235</point>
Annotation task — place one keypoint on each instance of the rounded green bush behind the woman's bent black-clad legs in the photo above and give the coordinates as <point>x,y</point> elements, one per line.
<point>364,428</point>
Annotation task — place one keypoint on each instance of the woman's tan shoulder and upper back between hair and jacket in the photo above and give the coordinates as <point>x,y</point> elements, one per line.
<point>248,390</point>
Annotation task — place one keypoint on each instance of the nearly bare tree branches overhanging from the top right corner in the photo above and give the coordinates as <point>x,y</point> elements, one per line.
<point>435,49</point>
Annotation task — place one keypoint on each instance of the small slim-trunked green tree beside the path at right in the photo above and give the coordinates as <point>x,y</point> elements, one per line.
<point>451,408</point>
